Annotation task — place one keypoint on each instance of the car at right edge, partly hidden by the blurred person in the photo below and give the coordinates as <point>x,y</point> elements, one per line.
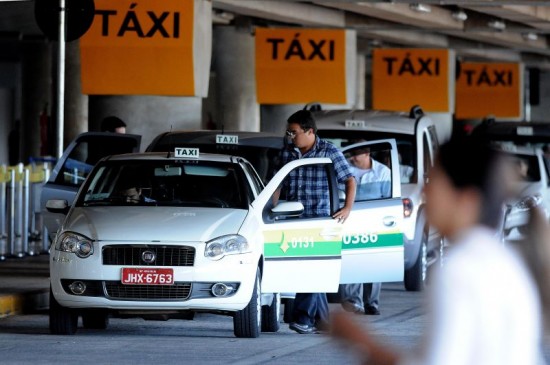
<point>523,143</point>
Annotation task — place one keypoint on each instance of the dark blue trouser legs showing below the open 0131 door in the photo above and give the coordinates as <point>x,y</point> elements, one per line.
<point>310,308</point>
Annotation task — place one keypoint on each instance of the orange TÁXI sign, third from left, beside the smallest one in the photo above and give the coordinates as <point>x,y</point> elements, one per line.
<point>402,78</point>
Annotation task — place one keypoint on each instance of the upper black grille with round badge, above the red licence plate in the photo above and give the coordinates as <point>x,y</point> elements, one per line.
<point>130,255</point>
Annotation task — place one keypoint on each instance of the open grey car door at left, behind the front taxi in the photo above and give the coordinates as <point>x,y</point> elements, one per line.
<point>75,164</point>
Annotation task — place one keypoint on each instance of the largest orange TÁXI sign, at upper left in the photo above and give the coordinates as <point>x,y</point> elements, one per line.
<point>146,47</point>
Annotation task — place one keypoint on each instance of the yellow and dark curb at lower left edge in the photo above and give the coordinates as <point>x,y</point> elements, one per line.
<point>24,303</point>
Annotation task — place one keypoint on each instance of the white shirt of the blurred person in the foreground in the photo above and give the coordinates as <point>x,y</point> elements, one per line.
<point>484,306</point>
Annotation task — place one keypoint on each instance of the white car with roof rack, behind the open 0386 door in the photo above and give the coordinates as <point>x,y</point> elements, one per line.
<point>417,145</point>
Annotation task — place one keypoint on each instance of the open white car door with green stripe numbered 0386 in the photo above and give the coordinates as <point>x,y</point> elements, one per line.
<point>372,236</point>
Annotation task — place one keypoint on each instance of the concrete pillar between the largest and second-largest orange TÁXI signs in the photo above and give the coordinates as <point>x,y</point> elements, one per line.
<point>233,63</point>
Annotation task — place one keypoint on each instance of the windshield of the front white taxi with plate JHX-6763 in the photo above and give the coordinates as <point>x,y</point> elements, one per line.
<point>166,183</point>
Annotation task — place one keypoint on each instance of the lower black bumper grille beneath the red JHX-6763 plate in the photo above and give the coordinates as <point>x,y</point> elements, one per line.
<point>177,291</point>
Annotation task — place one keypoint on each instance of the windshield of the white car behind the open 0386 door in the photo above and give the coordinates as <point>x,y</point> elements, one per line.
<point>405,147</point>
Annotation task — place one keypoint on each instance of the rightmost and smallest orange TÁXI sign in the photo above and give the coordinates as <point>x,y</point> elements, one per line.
<point>484,89</point>
